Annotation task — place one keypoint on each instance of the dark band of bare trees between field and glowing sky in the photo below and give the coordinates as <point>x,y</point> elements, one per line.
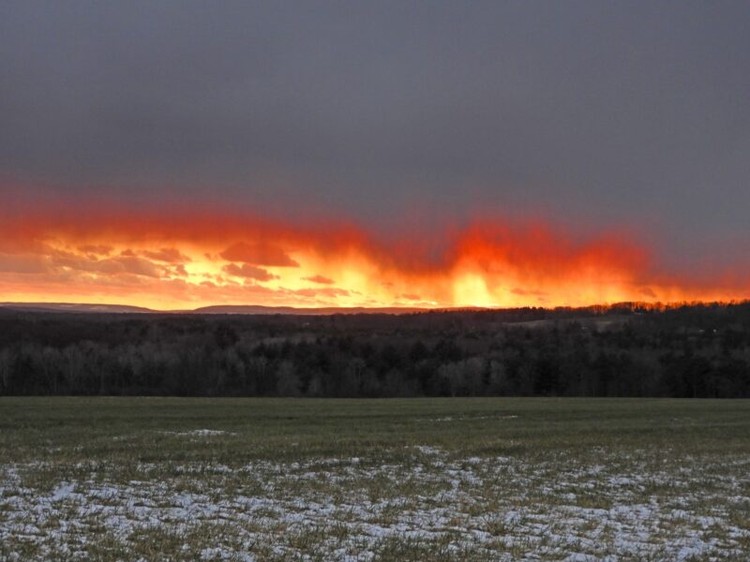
<point>626,350</point>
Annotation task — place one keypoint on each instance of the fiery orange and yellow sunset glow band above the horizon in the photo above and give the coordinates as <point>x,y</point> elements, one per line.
<point>183,259</point>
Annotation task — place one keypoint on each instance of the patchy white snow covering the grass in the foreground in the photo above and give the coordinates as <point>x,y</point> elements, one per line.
<point>355,508</point>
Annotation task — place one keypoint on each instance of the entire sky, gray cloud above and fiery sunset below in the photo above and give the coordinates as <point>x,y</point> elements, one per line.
<point>433,154</point>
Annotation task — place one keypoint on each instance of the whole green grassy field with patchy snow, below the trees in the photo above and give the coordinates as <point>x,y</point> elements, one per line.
<point>426,479</point>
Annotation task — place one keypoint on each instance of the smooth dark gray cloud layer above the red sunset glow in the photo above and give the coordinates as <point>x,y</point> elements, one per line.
<point>590,111</point>
